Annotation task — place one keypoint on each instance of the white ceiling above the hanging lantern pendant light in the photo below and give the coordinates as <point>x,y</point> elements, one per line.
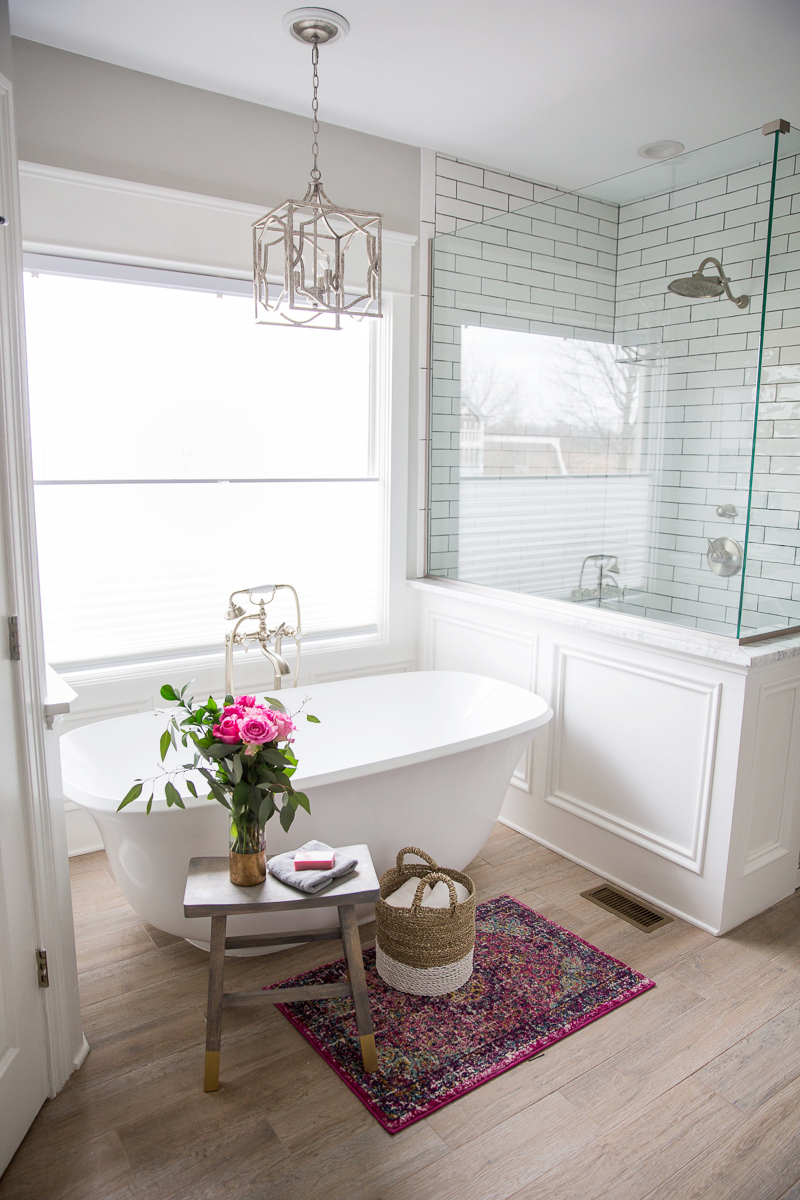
<point>558,91</point>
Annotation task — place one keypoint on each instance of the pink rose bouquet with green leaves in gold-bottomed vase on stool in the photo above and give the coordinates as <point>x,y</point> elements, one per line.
<point>248,751</point>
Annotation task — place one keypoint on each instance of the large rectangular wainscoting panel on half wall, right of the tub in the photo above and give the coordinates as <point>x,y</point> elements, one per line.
<point>634,752</point>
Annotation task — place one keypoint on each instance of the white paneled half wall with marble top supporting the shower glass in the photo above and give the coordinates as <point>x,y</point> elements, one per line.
<point>672,766</point>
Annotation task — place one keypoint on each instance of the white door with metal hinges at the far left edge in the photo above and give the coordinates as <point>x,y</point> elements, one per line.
<point>25,1081</point>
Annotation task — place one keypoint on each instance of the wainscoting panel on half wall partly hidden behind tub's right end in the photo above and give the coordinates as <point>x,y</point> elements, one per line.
<point>456,645</point>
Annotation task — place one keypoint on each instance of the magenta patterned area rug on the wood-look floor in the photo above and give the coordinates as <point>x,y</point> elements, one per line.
<point>534,983</point>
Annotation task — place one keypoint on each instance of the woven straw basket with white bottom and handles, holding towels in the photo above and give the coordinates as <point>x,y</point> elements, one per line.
<point>426,952</point>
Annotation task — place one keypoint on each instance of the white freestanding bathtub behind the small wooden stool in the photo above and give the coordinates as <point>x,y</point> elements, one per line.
<point>422,759</point>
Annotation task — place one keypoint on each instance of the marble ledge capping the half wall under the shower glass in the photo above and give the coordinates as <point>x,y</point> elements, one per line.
<point>633,629</point>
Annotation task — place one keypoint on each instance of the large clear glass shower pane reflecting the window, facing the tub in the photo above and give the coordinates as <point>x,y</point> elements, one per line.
<point>592,428</point>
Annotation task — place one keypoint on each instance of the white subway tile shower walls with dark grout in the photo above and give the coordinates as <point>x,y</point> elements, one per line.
<point>582,268</point>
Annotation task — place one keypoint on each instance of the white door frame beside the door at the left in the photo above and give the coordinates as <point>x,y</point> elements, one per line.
<point>44,807</point>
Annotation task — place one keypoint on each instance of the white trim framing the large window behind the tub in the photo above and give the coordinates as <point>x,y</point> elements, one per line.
<point>112,221</point>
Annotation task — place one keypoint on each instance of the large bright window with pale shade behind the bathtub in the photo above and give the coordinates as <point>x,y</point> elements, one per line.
<point>182,452</point>
